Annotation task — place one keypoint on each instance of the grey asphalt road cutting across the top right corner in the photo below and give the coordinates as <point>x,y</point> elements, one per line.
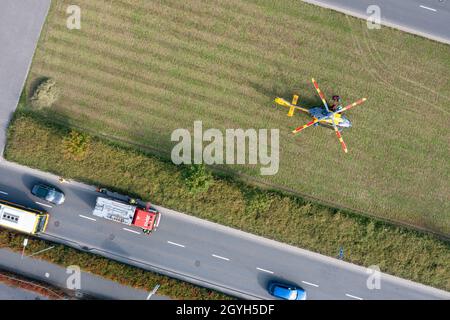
<point>427,18</point>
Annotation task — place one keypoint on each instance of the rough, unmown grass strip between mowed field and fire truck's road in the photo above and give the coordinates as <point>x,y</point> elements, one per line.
<point>35,142</point>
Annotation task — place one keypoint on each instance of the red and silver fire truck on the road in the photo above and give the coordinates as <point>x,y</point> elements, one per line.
<point>126,210</point>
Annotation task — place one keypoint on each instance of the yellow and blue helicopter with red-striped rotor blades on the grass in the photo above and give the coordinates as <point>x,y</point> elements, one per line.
<point>323,116</point>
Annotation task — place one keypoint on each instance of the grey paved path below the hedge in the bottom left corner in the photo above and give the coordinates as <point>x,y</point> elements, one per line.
<point>90,285</point>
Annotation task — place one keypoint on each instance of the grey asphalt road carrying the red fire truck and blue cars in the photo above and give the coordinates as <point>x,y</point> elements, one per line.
<point>198,251</point>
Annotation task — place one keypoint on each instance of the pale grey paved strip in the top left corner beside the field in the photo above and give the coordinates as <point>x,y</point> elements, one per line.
<point>20,25</point>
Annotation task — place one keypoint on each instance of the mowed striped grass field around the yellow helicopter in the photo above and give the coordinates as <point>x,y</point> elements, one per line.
<point>137,70</point>
